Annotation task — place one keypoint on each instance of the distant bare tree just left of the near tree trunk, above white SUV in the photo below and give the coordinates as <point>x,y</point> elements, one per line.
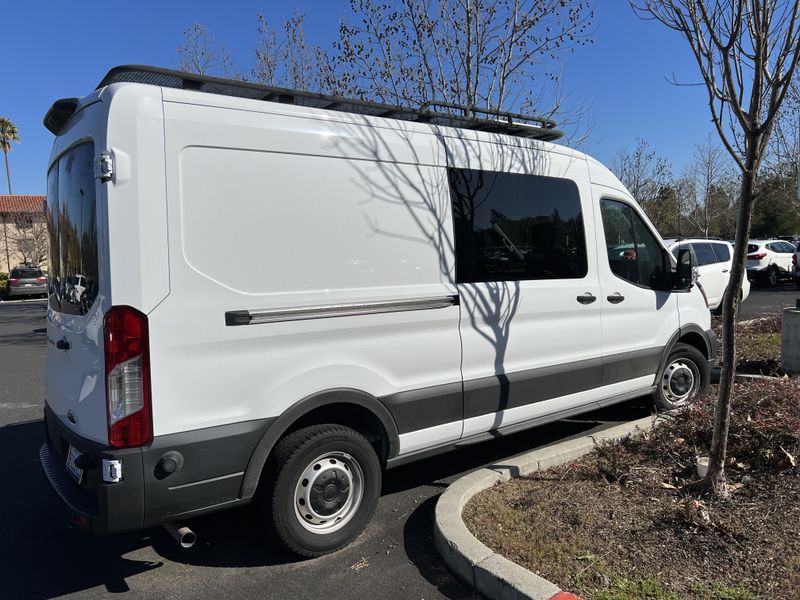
<point>707,195</point>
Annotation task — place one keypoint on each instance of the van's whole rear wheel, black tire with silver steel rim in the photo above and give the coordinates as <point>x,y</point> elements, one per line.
<point>325,482</point>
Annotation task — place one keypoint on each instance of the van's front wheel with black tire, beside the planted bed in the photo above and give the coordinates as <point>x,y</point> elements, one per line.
<point>684,377</point>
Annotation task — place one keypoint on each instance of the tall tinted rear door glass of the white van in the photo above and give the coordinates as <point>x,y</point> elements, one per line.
<point>72,226</point>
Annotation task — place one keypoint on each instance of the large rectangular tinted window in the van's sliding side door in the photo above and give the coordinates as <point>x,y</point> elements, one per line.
<point>511,227</point>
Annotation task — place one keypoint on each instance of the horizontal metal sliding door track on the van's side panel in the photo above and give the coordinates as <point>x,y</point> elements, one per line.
<point>278,315</point>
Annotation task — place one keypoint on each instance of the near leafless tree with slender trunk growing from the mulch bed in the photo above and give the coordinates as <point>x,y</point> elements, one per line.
<point>747,53</point>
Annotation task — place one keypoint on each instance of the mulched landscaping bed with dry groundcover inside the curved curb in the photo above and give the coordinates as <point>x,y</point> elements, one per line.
<point>617,524</point>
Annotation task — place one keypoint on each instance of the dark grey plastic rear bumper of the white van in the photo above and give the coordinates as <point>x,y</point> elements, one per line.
<point>209,479</point>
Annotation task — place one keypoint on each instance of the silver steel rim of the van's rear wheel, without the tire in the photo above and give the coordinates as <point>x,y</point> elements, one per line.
<point>329,492</point>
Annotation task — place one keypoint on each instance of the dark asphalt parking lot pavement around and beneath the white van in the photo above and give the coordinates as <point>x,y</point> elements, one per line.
<point>42,557</point>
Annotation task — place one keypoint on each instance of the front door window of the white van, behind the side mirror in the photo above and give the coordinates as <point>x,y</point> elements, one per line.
<point>633,251</point>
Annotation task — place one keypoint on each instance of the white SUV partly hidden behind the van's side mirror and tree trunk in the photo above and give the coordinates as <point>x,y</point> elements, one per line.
<point>714,259</point>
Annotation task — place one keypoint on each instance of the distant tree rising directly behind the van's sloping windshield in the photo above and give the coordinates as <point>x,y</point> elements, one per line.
<point>646,175</point>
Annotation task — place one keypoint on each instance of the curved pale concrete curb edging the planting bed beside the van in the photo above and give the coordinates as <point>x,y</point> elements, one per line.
<point>491,574</point>
